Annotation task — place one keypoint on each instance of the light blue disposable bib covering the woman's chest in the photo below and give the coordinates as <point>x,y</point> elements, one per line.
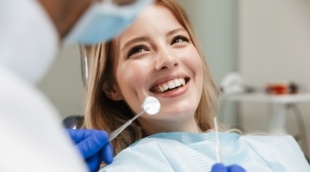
<point>189,152</point>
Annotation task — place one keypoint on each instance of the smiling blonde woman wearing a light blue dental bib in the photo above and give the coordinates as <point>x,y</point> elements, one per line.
<point>159,56</point>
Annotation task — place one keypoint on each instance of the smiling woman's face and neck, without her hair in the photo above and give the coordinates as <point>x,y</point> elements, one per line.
<point>155,57</point>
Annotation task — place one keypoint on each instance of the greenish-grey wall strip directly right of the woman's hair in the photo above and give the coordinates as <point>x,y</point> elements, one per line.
<point>215,22</point>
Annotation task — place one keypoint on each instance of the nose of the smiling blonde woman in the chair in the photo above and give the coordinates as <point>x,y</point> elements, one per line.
<point>165,60</point>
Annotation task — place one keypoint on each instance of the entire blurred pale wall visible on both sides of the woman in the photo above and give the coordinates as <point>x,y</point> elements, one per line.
<point>265,41</point>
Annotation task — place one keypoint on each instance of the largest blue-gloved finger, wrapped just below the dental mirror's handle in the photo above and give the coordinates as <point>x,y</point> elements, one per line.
<point>93,143</point>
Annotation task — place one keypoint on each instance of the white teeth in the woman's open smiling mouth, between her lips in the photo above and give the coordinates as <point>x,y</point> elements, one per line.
<point>169,85</point>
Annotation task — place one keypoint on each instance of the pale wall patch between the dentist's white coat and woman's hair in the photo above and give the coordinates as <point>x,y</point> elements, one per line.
<point>63,83</point>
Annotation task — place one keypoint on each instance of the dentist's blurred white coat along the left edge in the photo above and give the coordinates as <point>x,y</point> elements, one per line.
<point>32,138</point>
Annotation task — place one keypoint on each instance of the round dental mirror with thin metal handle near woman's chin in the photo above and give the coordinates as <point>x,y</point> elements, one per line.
<point>150,105</point>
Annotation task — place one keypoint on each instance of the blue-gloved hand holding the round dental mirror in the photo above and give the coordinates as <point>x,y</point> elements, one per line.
<point>94,146</point>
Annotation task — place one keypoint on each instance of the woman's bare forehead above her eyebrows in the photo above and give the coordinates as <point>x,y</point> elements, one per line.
<point>153,20</point>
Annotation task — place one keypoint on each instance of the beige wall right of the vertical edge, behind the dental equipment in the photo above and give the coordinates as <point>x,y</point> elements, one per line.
<point>274,45</point>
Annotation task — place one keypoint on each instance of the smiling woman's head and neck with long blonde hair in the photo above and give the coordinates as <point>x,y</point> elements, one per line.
<point>157,58</point>
